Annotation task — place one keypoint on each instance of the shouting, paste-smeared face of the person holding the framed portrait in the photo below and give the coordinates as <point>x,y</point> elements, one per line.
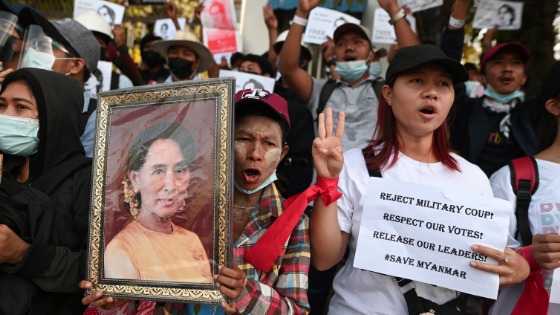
<point>258,150</point>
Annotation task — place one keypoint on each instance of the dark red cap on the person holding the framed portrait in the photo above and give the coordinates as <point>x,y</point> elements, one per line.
<point>257,97</point>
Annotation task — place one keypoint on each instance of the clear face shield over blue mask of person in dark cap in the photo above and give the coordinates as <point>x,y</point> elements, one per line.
<point>38,50</point>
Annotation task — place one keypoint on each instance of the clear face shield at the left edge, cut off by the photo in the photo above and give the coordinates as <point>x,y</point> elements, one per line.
<point>10,40</point>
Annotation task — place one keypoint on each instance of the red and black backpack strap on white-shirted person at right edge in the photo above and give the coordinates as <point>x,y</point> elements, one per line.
<point>524,182</point>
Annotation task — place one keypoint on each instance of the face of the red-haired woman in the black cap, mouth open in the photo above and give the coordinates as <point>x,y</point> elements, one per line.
<point>420,100</point>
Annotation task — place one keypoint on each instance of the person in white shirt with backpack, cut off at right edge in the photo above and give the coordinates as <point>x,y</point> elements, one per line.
<point>543,209</point>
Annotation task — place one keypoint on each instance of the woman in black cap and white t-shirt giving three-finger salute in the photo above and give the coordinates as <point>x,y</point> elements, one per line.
<point>410,144</point>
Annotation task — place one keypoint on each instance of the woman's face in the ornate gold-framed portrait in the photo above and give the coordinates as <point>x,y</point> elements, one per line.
<point>163,180</point>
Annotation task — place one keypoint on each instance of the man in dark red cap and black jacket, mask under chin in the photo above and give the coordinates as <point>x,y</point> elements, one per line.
<point>500,126</point>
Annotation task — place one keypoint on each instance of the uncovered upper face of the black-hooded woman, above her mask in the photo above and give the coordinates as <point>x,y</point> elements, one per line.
<point>17,100</point>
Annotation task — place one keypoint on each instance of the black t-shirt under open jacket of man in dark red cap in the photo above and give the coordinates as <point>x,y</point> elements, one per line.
<point>499,149</point>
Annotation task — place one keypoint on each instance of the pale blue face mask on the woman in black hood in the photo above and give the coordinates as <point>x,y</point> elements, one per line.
<point>18,136</point>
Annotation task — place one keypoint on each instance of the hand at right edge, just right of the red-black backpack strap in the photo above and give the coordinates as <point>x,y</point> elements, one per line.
<point>546,250</point>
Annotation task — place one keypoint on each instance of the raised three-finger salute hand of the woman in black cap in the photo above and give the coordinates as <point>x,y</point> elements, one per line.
<point>327,148</point>
